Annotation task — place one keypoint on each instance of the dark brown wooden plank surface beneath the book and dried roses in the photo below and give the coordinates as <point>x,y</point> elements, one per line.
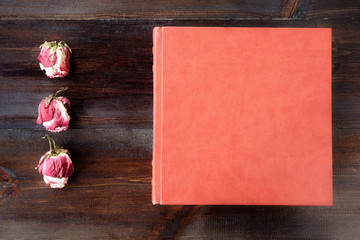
<point>110,135</point>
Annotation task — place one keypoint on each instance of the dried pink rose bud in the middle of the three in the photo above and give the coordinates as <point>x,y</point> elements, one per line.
<point>54,113</point>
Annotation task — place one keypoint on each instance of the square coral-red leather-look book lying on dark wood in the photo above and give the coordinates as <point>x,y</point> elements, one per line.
<point>242,116</point>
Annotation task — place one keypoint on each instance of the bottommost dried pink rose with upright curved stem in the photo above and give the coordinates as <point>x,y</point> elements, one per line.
<point>55,166</point>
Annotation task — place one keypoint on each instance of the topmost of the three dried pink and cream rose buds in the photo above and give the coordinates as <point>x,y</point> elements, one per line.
<point>54,58</point>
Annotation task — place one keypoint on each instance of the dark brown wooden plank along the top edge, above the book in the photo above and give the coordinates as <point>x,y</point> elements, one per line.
<point>178,10</point>
